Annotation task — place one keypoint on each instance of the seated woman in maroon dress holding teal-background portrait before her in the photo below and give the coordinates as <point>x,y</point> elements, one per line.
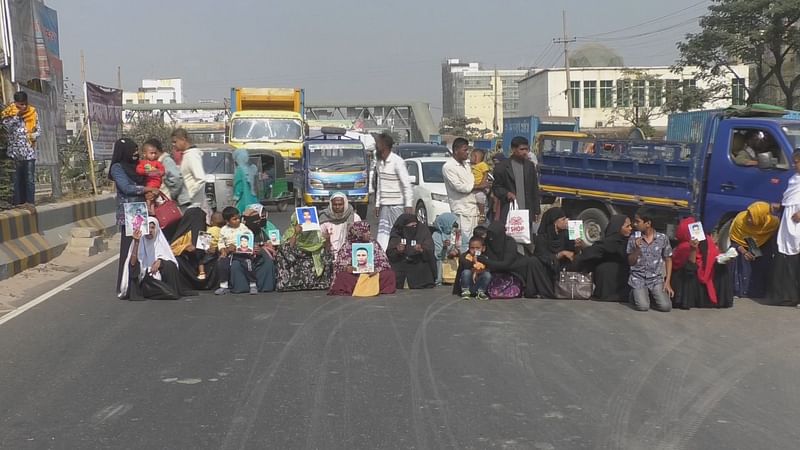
<point>344,280</point>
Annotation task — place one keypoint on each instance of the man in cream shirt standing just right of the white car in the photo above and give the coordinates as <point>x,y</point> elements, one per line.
<point>460,185</point>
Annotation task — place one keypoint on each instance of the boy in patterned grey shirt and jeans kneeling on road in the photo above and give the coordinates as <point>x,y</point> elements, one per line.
<point>650,257</point>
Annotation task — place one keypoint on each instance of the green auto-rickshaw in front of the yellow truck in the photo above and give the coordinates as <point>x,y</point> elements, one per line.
<point>272,185</point>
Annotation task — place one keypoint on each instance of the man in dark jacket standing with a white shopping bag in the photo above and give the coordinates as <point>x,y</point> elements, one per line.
<point>515,179</point>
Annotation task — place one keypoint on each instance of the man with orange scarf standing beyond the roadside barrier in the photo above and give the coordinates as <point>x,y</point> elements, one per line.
<point>21,122</point>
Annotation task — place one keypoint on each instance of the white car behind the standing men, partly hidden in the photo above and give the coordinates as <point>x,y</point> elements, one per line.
<point>430,196</point>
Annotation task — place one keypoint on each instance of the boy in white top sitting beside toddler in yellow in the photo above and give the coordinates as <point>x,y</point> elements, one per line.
<point>227,252</point>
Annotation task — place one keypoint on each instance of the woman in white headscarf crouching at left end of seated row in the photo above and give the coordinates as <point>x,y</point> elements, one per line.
<point>151,270</point>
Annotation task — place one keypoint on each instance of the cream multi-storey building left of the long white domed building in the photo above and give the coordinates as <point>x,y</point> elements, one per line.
<point>471,91</point>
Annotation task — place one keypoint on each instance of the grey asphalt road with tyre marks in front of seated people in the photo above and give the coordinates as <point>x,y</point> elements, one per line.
<point>413,370</point>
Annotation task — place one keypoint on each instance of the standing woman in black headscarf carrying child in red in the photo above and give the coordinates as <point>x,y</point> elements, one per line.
<point>130,189</point>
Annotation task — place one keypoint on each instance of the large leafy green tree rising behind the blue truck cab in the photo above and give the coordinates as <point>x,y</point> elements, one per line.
<point>764,34</point>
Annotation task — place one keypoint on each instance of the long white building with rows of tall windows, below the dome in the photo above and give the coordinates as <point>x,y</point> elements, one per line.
<point>599,94</point>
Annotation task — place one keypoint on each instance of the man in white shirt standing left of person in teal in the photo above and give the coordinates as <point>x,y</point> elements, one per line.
<point>193,194</point>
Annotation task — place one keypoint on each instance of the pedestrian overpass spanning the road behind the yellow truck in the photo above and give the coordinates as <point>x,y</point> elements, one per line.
<point>412,121</point>
